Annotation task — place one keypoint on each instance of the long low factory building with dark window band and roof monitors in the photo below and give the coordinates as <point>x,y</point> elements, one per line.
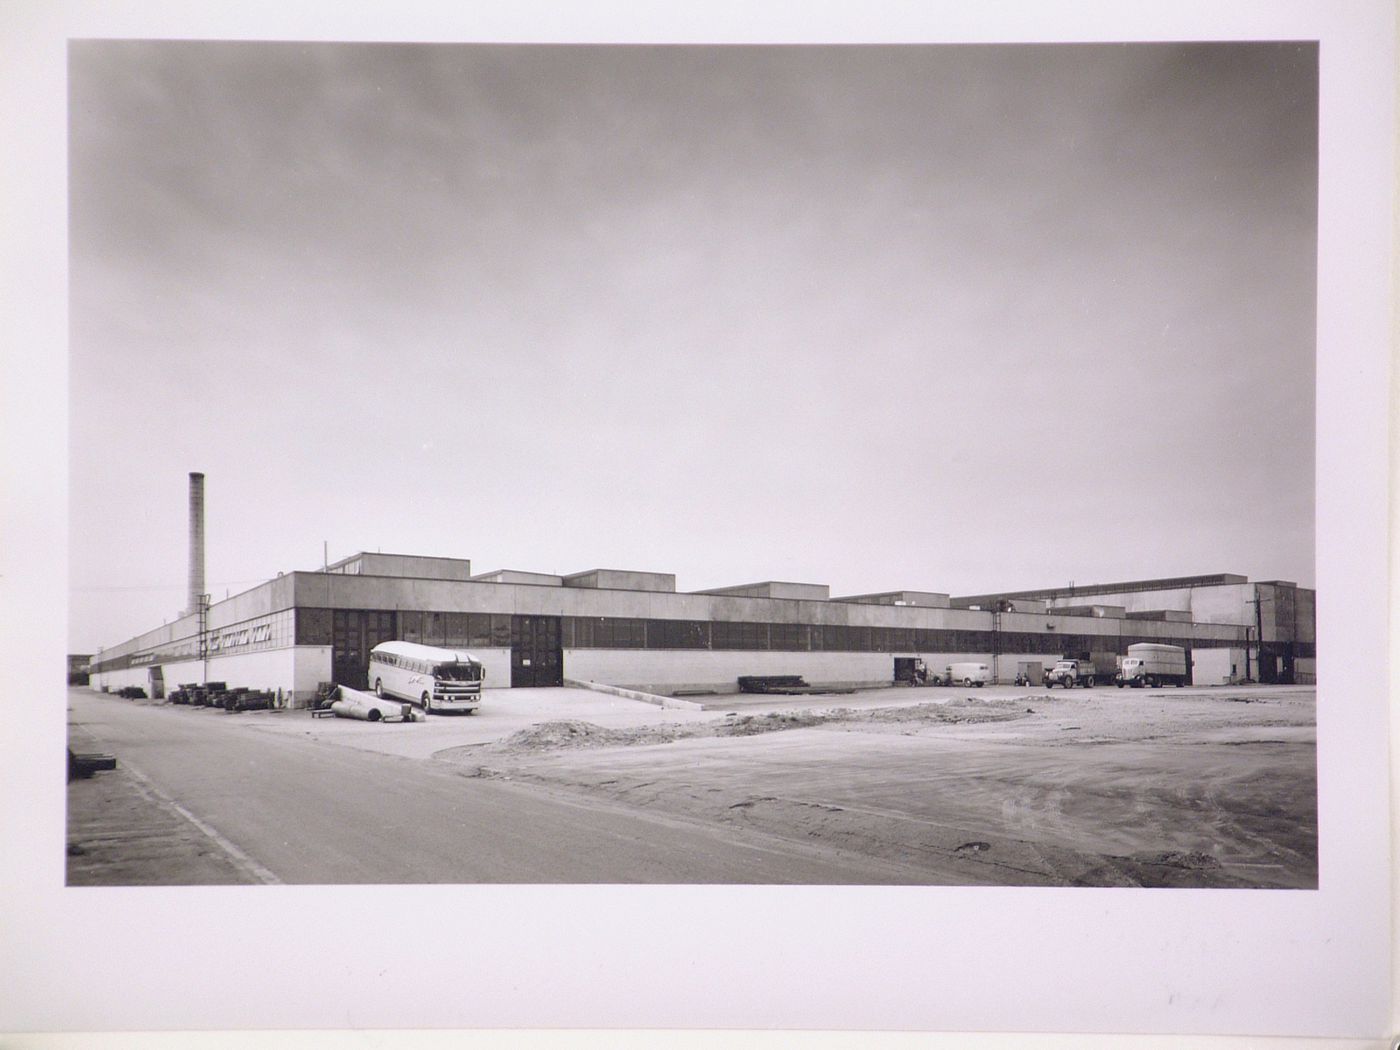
<point>635,631</point>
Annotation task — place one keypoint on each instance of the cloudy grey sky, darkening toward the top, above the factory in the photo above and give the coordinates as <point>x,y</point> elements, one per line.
<point>946,318</point>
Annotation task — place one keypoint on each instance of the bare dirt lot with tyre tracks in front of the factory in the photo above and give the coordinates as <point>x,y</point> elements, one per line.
<point>1095,787</point>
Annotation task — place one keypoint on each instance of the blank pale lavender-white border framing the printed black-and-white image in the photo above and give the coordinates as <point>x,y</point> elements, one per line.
<point>1310,964</point>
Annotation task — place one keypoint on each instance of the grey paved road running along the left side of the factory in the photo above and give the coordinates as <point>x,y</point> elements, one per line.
<point>285,808</point>
